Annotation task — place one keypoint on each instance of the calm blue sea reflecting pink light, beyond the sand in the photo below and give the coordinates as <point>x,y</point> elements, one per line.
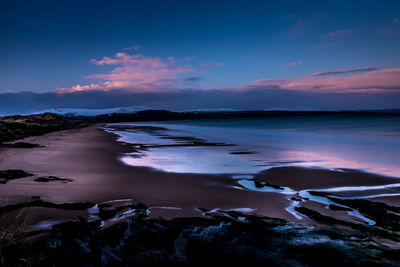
<point>368,143</point>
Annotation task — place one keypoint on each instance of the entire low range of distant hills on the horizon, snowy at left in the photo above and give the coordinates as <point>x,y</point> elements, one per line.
<point>140,113</point>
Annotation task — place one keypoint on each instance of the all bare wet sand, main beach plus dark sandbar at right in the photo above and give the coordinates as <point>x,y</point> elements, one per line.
<point>89,156</point>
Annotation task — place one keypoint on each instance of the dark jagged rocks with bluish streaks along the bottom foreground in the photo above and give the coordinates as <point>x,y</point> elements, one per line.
<point>127,236</point>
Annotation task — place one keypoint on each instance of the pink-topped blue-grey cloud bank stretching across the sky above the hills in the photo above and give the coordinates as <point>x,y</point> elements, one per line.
<point>168,83</point>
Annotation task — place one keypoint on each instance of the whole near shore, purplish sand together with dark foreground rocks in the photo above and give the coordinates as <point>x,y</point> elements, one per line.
<point>91,204</point>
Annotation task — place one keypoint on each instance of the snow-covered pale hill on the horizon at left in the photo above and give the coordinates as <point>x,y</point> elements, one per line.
<point>77,112</point>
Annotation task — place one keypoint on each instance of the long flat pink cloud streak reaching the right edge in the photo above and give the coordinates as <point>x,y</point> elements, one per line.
<point>386,80</point>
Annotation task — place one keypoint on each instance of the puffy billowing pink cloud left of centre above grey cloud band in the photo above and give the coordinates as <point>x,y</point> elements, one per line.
<point>137,73</point>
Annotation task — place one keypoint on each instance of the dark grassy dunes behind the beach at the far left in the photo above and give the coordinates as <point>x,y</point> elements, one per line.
<point>17,127</point>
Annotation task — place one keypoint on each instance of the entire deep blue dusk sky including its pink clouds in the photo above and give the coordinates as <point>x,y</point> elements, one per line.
<point>199,54</point>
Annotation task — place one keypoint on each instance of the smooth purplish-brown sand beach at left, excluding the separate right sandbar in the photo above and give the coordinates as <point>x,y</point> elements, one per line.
<point>89,156</point>
